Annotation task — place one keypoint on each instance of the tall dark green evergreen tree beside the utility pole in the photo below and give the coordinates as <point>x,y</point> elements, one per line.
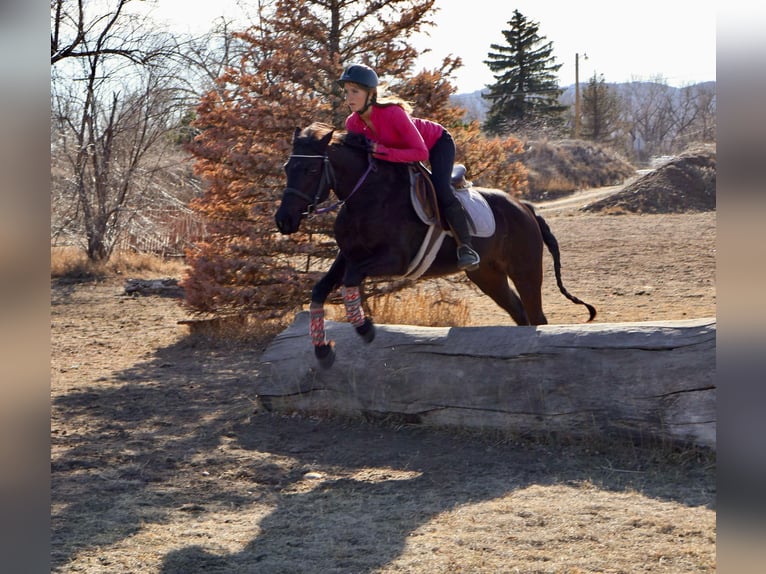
<point>525,95</point>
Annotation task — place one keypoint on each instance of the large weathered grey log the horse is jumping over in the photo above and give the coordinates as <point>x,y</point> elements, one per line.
<point>653,380</point>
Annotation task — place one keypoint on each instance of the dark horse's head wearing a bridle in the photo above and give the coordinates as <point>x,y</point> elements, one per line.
<point>309,176</point>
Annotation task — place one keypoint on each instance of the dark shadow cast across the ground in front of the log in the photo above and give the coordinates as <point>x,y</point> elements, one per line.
<point>140,446</point>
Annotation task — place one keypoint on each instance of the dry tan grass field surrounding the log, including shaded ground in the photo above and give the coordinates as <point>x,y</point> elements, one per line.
<point>163,461</point>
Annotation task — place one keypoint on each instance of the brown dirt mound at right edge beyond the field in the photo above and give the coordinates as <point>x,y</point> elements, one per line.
<point>686,184</point>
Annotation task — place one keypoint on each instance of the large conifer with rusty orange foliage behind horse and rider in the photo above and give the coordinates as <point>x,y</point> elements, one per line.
<point>285,80</point>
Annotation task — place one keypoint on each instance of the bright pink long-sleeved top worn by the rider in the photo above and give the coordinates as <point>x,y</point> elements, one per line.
<point>400,137</point>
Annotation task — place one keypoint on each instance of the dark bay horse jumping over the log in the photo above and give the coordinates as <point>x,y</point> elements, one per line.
<point>378,232</point>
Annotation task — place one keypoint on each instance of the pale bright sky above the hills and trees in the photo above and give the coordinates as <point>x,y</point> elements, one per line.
<point>639,40</point>
